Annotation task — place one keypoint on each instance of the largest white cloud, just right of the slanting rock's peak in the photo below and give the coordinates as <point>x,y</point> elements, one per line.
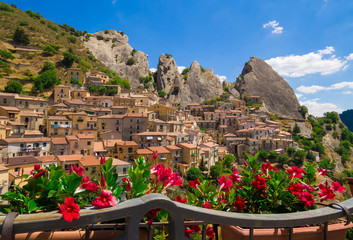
<point>310,63</point>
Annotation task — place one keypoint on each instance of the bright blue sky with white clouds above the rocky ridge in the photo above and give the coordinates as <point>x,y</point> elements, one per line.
<point>309,42</point>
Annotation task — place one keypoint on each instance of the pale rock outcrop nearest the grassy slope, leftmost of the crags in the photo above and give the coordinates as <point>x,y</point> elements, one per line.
<point>115,54</point>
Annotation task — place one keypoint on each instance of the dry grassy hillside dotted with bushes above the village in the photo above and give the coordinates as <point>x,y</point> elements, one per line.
<point>40,35</point>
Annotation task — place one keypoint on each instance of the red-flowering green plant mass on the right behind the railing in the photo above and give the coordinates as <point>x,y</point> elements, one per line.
<point>261,188</point>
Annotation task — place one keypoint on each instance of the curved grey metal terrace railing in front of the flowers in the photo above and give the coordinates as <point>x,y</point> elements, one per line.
<point>134,210</point>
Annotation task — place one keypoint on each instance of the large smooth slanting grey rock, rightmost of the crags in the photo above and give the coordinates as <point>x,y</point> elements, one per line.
<point>259,79</point>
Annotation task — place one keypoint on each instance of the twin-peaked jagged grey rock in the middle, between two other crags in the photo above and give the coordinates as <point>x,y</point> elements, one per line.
<point>197,85</point>
